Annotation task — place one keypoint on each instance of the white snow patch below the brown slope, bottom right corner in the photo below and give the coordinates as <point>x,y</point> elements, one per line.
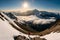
<point>52,36</point>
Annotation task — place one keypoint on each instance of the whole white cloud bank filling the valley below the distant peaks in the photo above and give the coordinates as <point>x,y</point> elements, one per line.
<point>35,20</point>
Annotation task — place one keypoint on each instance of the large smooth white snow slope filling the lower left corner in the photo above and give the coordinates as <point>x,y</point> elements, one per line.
<point>6,31</point>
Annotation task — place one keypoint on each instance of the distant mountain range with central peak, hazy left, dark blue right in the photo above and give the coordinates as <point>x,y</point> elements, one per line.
<point>40,14</point>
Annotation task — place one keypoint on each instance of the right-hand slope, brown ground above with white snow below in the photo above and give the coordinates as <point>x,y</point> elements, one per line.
<point>53,33</point>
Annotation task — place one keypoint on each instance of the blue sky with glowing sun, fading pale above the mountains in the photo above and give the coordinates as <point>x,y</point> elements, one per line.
<point>51,5</point>
